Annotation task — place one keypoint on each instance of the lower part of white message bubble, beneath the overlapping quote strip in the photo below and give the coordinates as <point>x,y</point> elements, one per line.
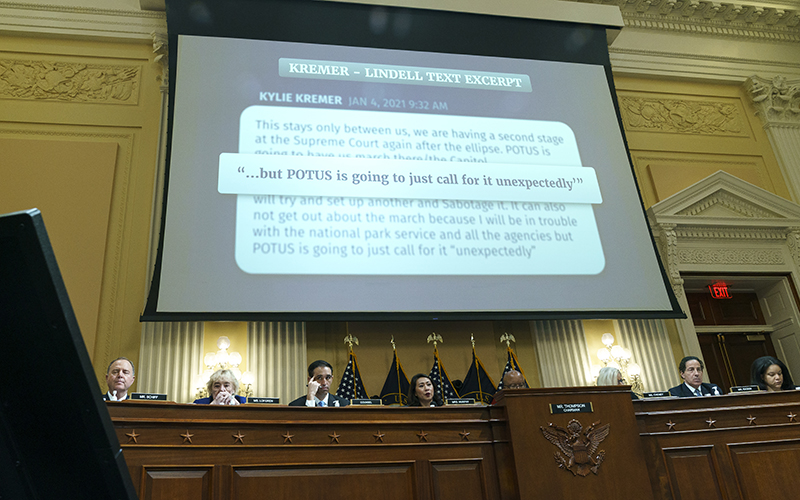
<point>337,235</point>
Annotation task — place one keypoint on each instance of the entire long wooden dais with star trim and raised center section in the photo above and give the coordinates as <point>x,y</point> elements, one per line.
<point>732,447</point>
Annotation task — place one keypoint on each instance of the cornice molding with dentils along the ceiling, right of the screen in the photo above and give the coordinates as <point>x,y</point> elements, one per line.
<point>772,22</point>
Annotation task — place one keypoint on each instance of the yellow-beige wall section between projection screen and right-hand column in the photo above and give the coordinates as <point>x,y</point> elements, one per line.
<point>681,132</point>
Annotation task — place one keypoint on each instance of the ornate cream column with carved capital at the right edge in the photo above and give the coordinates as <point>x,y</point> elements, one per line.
<point>777,102</point>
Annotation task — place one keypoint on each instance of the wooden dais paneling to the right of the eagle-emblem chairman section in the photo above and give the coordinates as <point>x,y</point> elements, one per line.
<point>737,446</point>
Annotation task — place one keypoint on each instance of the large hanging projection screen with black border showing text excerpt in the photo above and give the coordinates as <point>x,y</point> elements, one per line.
<point>341,161</point>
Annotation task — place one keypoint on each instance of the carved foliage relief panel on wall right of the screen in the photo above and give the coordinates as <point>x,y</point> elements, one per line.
<point>681,116</point>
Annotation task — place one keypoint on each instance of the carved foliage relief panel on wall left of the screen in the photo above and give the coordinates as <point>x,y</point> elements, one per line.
<point>69,81</point>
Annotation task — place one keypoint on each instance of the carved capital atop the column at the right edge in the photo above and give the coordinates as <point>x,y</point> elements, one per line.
<point>777,100</point>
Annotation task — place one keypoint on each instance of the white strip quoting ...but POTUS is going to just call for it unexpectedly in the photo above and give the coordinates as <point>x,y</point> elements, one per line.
<point>359,177</point>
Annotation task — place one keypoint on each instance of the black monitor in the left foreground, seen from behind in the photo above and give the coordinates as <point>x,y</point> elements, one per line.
<point>56,436</point>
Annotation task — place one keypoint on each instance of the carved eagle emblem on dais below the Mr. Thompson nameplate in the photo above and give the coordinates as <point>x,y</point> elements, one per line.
<point>577,448</point>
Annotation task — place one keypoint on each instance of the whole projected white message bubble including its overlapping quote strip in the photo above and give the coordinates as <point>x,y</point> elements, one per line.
<point>478,196</point>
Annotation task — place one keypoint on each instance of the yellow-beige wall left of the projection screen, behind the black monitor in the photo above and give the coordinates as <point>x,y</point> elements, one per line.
<point>79,125</point>
